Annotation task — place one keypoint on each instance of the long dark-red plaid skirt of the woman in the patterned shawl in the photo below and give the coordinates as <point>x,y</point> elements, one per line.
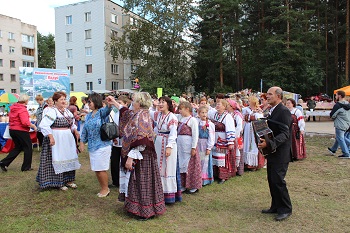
<point>145,192</point>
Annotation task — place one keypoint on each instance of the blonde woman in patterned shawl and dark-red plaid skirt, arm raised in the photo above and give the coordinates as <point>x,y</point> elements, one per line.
<point>144,197</point>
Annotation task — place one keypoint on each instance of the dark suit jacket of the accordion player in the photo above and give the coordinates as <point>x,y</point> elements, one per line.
<point>281,144</point>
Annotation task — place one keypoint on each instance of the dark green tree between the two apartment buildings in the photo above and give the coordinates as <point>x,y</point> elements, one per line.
<point>46,51</point>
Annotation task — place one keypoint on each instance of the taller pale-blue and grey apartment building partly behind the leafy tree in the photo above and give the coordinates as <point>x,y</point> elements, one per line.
<point>82,31</point>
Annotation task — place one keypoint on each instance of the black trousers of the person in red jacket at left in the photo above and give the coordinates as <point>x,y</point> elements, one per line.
<point>22,143</point>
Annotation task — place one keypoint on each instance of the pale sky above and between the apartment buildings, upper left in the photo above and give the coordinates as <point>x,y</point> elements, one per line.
<point>40,13</point>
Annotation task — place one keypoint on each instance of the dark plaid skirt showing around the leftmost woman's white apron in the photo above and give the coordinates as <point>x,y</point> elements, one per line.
<point>46,176</point>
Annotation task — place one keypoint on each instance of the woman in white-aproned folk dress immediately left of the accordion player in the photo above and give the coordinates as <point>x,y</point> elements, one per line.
<point>252,157</point>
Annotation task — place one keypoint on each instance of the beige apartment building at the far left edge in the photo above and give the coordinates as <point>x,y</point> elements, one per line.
<point>18,47</point>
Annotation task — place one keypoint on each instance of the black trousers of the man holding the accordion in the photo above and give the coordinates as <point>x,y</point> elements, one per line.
<point>278,187</point>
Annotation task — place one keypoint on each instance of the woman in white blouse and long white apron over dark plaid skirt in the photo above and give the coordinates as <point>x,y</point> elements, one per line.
<point>59,158</point>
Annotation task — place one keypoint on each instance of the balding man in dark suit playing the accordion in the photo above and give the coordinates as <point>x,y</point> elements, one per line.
<point>279,156</point>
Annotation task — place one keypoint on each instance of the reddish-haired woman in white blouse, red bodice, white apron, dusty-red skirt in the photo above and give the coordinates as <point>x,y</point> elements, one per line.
<point>187,139</point>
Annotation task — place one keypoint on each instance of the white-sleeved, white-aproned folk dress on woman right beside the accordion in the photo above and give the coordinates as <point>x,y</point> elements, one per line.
<point>250,148</point>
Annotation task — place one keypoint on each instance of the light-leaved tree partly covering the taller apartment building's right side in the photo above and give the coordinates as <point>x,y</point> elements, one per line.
<point>156,42</point>
